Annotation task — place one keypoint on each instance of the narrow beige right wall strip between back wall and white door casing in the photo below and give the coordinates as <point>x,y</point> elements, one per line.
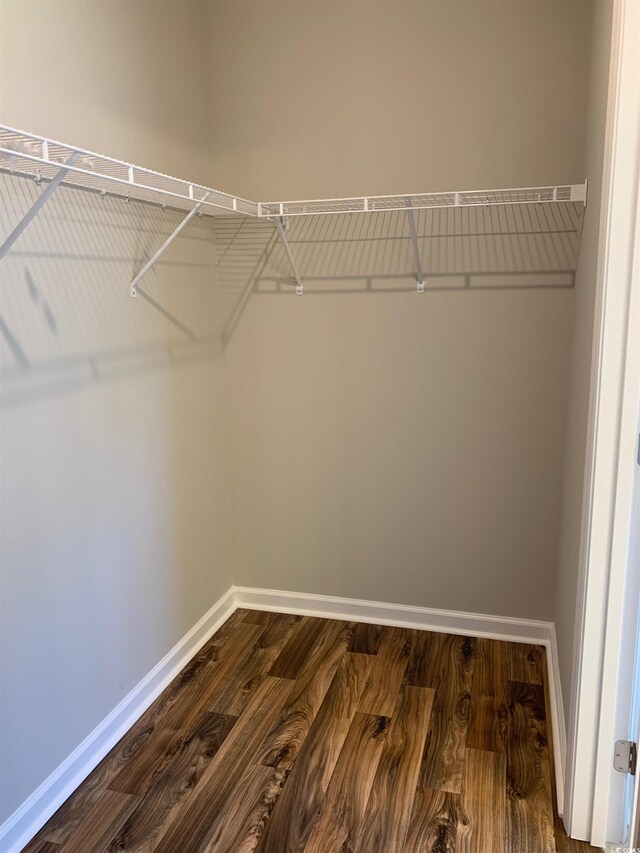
<point>569,580</point>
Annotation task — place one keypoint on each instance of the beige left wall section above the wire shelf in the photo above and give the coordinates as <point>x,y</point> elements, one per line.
<point>119,77</point>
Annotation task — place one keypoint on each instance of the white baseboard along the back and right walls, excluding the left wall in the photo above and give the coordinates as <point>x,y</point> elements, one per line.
<point>430,619</point>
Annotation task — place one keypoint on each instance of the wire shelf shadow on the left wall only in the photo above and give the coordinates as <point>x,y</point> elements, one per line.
<point>67,319</point>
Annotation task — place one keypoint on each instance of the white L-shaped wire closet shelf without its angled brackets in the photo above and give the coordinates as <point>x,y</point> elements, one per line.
<point>42,159</point>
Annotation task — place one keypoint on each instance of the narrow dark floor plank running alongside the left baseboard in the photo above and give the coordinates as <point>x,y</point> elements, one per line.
<point>74,810</point>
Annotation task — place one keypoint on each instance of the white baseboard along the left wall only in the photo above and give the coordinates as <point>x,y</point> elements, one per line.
<point>28,818</point>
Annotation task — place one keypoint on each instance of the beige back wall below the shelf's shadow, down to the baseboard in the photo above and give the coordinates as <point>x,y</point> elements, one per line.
<point>401,448</point>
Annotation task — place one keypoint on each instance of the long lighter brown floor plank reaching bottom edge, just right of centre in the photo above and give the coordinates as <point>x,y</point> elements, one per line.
<point>386,822</point>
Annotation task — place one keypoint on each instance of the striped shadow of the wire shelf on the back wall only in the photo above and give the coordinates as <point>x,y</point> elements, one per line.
<point>512,246</point>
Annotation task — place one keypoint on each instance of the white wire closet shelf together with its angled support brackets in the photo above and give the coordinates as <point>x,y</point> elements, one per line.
<point>46,161</point>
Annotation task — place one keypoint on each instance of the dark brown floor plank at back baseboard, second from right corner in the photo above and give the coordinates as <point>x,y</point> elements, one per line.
<point>488,713</point>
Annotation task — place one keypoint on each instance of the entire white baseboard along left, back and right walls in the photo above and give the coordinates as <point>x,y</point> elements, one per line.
<point>23,824</point>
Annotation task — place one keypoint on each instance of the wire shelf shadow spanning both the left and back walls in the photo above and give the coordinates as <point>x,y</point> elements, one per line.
<point>67,318</point>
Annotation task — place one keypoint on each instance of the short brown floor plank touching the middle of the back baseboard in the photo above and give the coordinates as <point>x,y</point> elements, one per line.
<point>387,673</point>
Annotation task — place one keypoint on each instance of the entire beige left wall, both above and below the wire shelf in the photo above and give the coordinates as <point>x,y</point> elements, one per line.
<point>115,488</point>
